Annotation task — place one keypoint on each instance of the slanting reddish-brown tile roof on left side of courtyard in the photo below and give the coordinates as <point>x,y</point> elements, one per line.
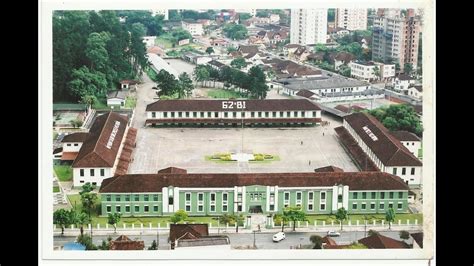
<point>95,151</point>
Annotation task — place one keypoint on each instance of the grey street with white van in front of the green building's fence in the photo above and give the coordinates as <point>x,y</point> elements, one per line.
<point>262,240</point>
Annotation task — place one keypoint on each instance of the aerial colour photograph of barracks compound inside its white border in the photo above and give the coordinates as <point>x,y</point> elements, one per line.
<point>237,129</point>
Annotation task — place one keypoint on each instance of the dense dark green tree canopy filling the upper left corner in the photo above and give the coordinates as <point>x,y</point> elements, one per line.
<point>92,51</point>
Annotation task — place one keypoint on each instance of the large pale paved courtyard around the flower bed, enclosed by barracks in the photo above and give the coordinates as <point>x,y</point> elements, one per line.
<point>299,149</point>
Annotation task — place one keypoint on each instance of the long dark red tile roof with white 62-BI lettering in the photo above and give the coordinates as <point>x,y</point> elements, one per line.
<point>216,105</point>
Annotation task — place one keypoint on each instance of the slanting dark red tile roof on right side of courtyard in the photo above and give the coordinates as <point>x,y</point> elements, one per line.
<point>386,148</point>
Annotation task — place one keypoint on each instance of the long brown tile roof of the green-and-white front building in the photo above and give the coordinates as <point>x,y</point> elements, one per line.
<point>133,183</point>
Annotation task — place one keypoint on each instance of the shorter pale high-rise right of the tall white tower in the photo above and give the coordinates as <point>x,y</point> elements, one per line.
<point>351,18</point>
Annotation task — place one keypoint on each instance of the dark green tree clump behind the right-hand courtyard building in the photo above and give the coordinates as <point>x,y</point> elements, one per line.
<point>399,117</point>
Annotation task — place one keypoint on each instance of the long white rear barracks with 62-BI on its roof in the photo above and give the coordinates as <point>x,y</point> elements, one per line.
<point>281,112</point>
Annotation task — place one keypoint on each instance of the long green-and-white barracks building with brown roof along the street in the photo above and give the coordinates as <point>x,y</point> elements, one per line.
<point>172,189</point>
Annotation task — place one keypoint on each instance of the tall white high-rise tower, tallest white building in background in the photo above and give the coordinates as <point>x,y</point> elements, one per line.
<point>308,26</point>
